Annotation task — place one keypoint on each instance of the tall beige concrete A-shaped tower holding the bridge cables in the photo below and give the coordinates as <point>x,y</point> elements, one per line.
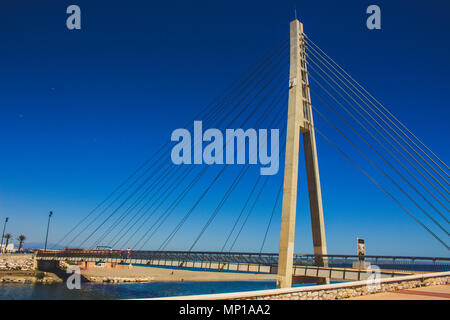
<point>300,120</point>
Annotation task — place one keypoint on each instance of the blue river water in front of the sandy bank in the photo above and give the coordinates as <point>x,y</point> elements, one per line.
<point>126,290</point>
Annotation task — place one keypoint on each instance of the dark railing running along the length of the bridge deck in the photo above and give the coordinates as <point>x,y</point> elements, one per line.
<point>406,263</point>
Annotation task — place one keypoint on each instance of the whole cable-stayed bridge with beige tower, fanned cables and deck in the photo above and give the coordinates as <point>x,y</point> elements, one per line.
<point>290,84</point>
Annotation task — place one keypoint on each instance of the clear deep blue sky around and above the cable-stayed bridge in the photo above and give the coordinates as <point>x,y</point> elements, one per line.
<point>80,110</point>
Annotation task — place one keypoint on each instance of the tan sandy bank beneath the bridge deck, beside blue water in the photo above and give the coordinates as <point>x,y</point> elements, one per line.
<point>152,274</point>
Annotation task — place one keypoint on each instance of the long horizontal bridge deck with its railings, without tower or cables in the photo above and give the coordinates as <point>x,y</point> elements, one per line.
<point>306,269</point>
